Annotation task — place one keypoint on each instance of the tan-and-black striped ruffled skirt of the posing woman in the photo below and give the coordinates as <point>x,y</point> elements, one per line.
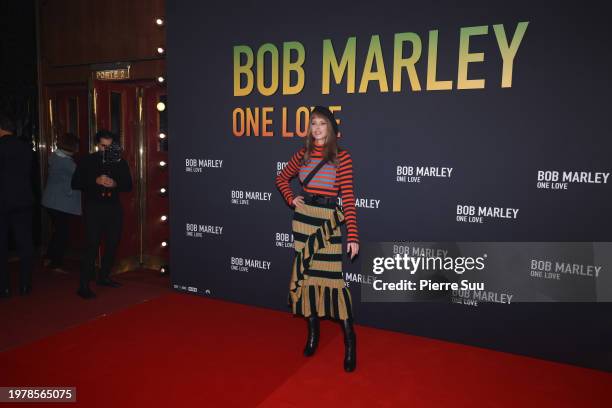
<point>317,283</point>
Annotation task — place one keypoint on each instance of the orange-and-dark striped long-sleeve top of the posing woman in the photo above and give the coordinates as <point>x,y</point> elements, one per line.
<point>329,181</point>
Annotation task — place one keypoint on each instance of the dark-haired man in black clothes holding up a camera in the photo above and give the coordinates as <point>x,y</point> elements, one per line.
<point>101,178</point>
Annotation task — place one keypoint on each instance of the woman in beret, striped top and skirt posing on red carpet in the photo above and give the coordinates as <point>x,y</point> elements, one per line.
<point>317,287</point>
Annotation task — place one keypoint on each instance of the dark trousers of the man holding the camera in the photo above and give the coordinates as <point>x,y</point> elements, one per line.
<point>103,221</point>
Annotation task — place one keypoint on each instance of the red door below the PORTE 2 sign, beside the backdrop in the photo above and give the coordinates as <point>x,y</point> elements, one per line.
<point>129,109</point>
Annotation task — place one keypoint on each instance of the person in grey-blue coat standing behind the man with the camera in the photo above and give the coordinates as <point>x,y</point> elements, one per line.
<point>60,200</point>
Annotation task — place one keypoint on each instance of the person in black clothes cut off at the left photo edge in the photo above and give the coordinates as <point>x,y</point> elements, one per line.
<point>15,205</point>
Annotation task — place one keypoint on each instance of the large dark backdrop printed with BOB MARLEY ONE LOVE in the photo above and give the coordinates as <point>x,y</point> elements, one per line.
<point>480,136</point>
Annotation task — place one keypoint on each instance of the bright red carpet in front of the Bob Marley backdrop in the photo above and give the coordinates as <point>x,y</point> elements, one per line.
<point>181,350</point>
